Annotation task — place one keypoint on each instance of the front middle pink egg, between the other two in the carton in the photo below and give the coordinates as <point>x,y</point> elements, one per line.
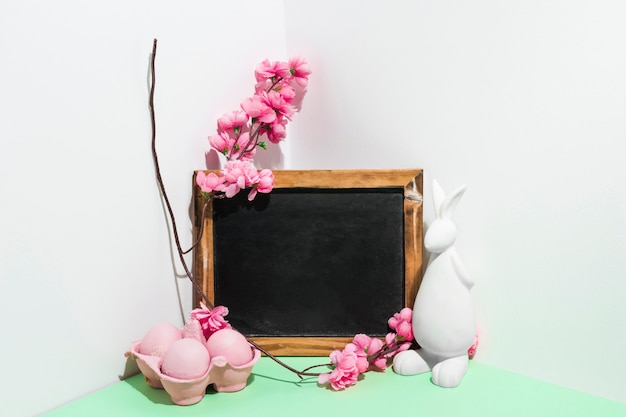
<point>186,359</point>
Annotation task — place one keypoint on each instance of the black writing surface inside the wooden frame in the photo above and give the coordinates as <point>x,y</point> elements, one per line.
<point>310,262</point>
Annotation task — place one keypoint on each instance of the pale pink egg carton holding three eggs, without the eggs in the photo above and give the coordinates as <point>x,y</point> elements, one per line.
<point>224,376</point>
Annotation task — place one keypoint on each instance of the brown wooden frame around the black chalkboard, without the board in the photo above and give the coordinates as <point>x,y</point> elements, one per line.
<point>407,182</point>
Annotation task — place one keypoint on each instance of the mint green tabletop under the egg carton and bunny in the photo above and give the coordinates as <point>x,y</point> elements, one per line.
<point>274,391</point>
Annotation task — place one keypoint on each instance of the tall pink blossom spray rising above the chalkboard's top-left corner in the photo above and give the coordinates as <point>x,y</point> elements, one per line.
<point>279,87</point>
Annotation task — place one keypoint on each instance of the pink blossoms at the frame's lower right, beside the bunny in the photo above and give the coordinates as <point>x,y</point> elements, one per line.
<point>366,353</point>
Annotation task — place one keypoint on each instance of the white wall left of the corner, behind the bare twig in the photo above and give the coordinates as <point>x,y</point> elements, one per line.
<point>85,260</point>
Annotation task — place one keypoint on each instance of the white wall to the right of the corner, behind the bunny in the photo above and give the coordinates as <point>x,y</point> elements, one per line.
<point>524,101</point>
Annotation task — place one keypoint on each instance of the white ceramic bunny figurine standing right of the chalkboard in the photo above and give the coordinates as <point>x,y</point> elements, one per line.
<point>443,316</point>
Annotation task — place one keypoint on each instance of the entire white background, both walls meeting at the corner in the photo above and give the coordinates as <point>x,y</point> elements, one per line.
<point>523,101</point>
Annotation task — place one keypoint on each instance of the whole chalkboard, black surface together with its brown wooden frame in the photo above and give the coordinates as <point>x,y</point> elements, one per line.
<point>325,255</point>
